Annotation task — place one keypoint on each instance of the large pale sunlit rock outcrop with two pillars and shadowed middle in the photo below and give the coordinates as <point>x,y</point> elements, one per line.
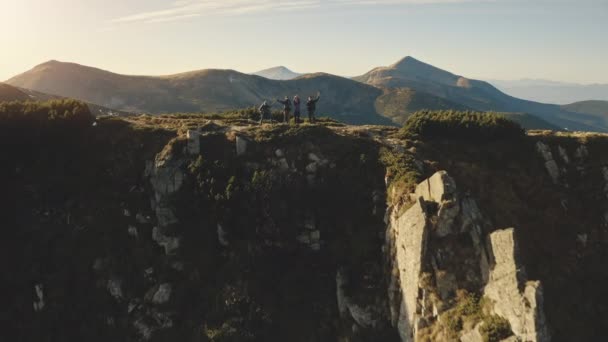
<point>441,226</point>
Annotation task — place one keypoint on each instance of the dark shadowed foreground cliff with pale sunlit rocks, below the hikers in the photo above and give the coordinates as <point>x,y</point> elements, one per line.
<point>178,228</point>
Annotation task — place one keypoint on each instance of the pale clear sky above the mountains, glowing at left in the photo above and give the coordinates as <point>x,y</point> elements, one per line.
<point>561,40</point>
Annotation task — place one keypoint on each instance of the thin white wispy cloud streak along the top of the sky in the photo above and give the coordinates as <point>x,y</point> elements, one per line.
<point>186,9</point>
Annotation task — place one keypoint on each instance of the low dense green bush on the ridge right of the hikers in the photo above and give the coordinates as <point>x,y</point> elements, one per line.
<point>469,126</point>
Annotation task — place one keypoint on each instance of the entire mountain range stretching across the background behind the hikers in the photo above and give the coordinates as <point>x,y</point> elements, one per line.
<point>384,95</point>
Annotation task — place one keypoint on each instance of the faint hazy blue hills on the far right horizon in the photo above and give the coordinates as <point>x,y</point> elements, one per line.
<point>552,92</point>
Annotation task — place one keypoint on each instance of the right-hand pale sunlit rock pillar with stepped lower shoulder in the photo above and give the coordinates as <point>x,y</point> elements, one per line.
<point>523,310</point>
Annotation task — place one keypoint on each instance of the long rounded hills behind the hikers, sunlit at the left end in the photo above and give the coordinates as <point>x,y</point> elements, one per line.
<point>200,91</point>
